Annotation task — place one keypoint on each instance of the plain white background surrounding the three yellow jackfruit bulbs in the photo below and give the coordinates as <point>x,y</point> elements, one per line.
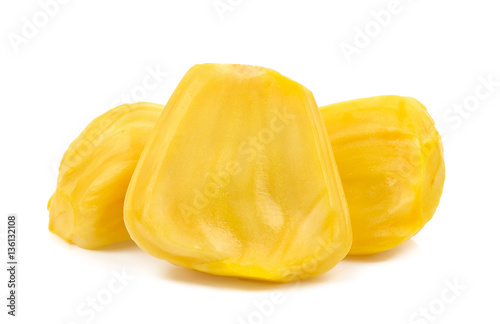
<point>83,60</point>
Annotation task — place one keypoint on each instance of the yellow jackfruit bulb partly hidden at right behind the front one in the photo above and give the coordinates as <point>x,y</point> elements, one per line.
<point>390,158</point>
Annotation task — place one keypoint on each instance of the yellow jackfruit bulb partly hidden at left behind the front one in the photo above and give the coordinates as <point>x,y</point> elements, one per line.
<point>87,206</point>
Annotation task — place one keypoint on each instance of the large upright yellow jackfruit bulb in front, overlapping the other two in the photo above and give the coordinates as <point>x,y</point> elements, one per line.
<point>238,179</point>
